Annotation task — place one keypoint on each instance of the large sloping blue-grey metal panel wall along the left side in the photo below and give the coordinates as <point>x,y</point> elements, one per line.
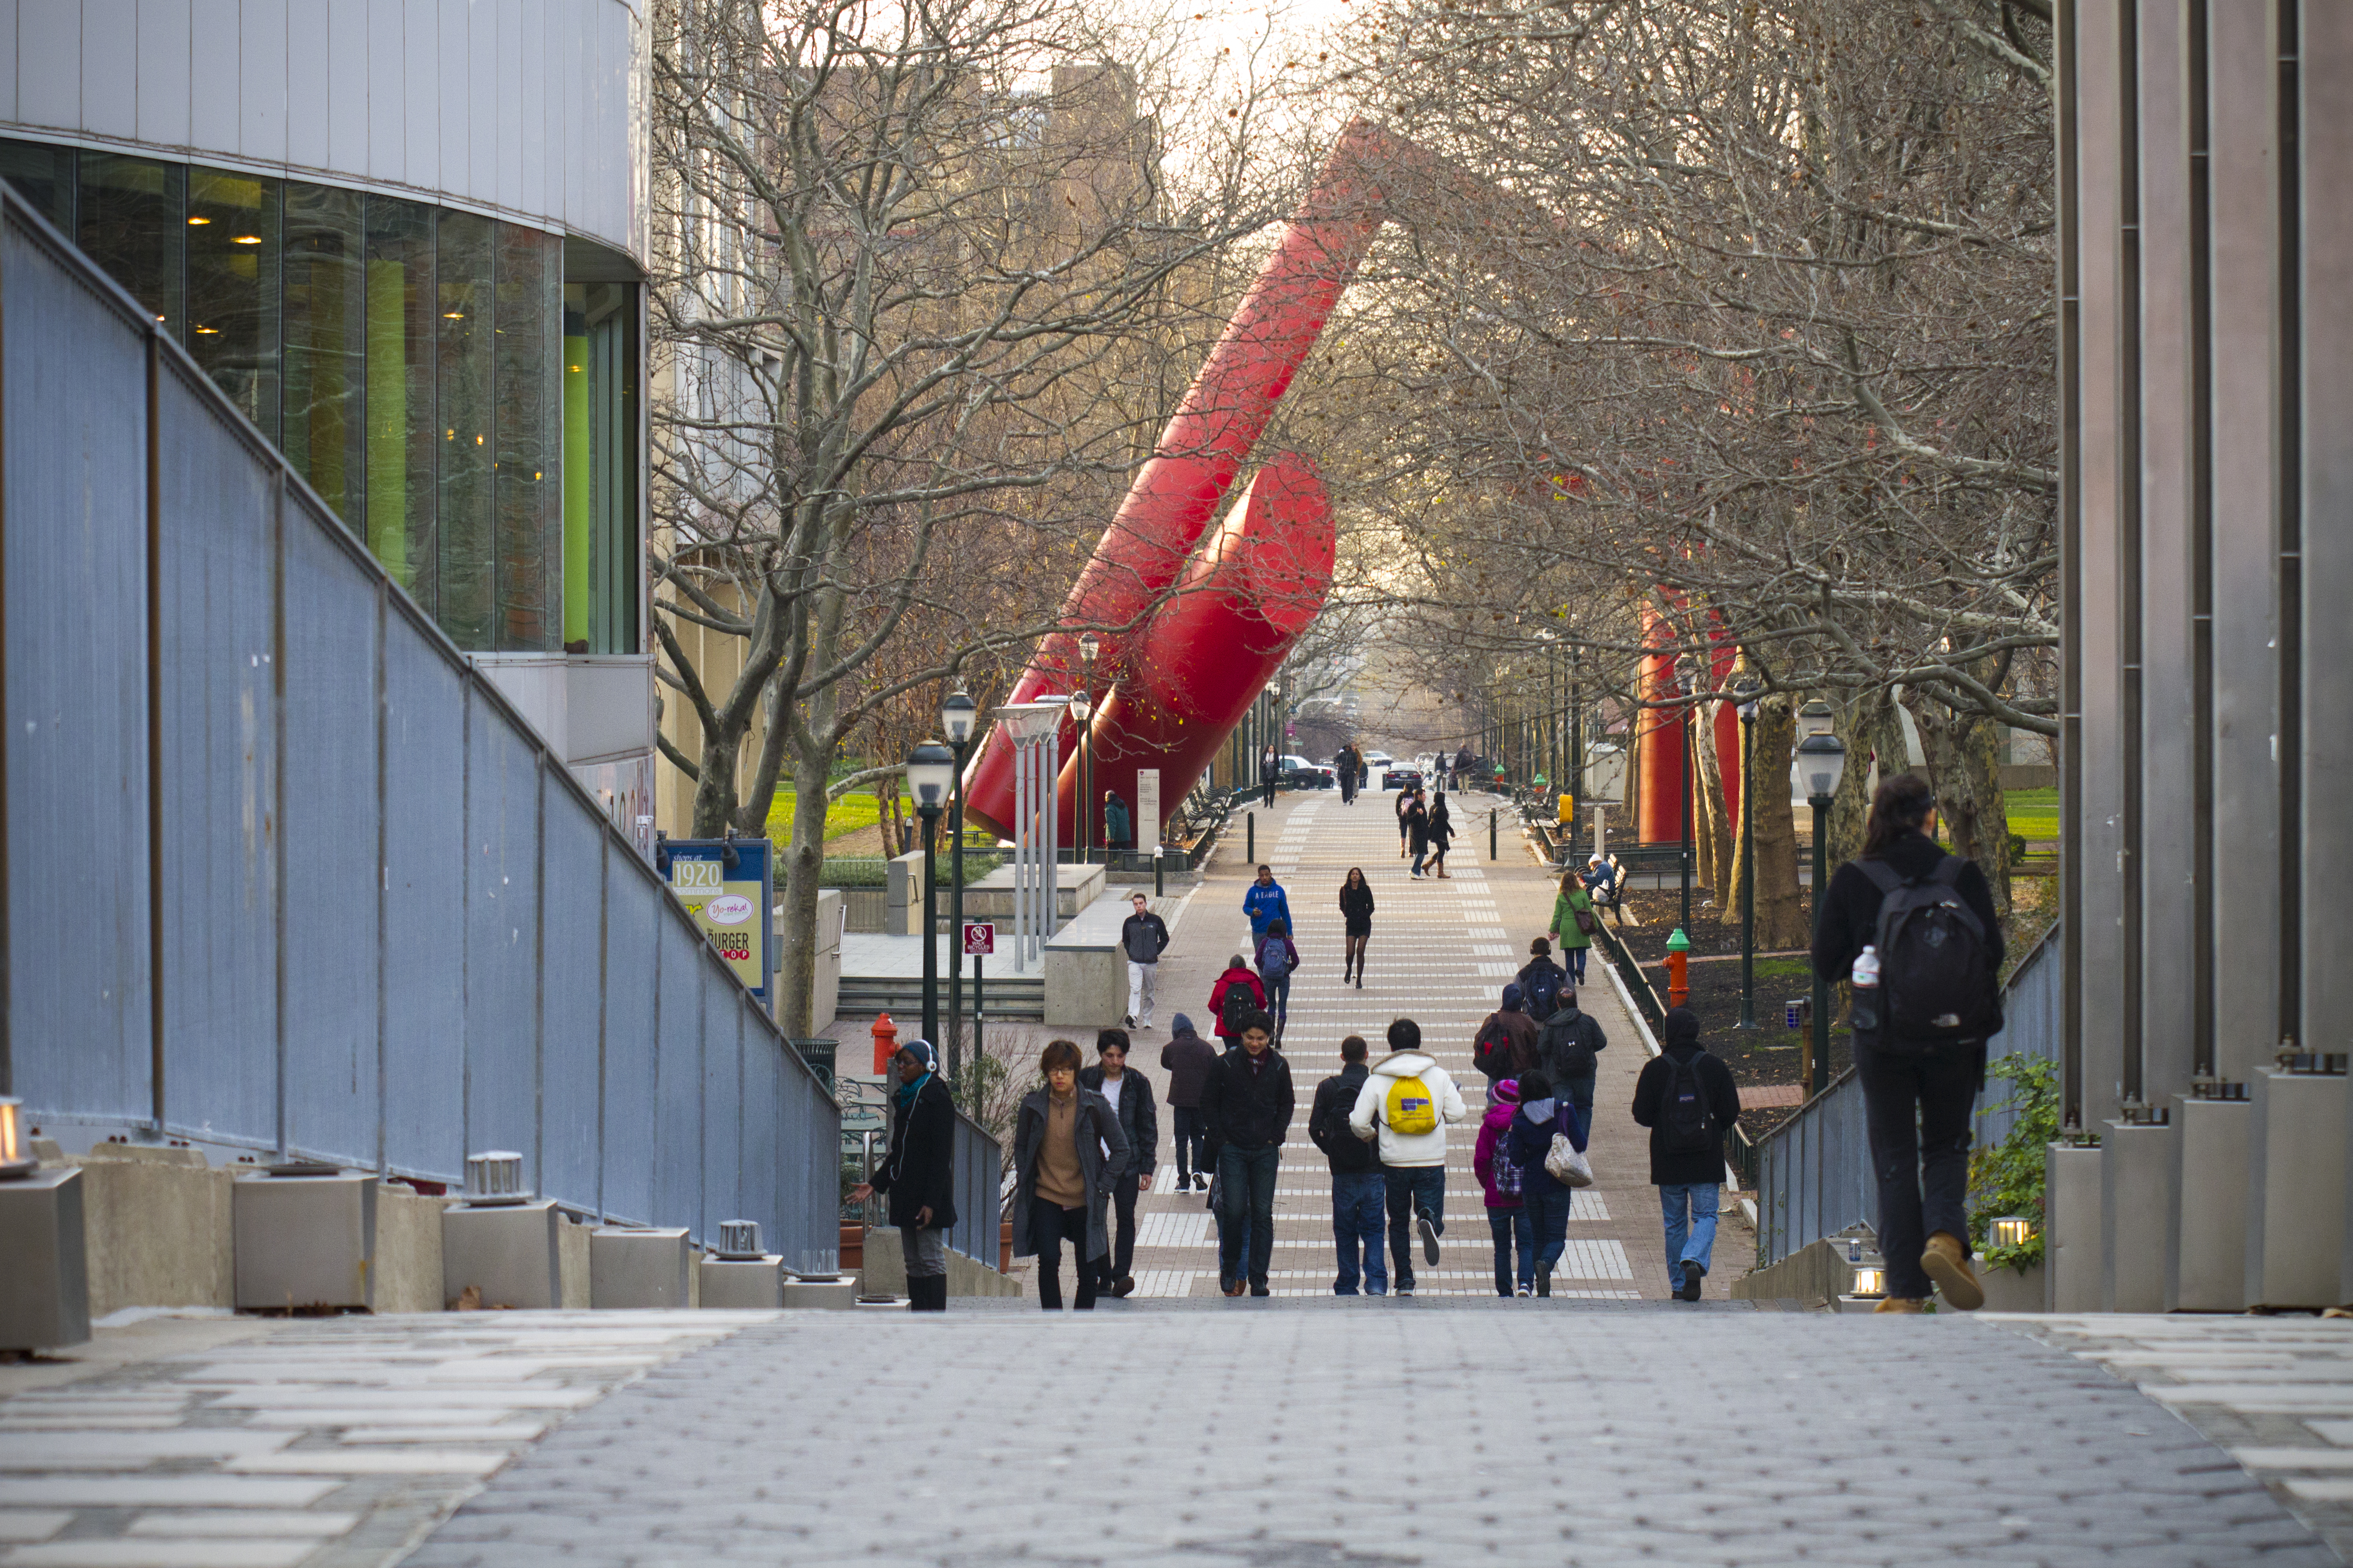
<point>286,875</point>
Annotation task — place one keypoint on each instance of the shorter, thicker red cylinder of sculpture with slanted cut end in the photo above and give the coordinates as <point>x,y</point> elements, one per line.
<point>1213,646</point>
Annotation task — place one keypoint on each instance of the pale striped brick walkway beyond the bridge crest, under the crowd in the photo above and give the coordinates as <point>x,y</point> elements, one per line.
<point>1441,955</point>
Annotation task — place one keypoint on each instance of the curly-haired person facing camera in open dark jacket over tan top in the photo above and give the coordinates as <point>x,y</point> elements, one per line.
<point>1069,1152</point>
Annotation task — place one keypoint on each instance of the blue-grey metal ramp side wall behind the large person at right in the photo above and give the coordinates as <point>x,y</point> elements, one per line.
<point>1815,1169</point>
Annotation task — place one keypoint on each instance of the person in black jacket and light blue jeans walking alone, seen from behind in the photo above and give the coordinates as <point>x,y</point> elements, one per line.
<point>1688,1101</point>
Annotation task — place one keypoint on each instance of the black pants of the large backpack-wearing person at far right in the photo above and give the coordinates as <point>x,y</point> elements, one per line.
<point>1919,1108</point>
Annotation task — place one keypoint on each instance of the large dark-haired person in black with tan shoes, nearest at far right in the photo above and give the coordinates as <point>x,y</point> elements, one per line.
<point>1928,922</point>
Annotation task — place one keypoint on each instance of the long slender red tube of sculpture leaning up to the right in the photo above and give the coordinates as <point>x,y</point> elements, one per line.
<point>1206,446</point>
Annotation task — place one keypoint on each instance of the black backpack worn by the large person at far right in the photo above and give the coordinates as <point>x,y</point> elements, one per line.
<point>1935,966</point>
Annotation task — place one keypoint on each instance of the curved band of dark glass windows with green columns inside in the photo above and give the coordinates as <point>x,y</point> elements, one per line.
<point>467,408</point>
